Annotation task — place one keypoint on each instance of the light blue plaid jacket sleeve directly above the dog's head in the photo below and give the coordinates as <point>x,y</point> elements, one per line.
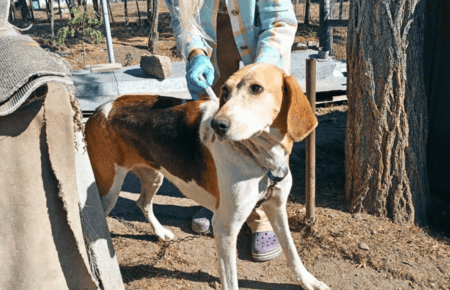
<point>278,28</point>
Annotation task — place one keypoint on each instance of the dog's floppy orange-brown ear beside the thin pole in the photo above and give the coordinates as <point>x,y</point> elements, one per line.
<point>301,120</point>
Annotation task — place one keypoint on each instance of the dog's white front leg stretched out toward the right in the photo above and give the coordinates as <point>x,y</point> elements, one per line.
<point>275,209</point>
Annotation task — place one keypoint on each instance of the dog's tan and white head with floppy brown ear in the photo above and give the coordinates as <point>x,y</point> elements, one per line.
<point>260,96</point>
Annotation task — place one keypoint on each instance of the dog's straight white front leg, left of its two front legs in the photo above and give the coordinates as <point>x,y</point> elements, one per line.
<point>227,222</point>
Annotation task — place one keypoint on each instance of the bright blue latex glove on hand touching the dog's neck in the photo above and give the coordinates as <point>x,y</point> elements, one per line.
<point>199,65</point>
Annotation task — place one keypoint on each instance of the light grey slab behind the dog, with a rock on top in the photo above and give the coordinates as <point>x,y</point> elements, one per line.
<point>95,89</point>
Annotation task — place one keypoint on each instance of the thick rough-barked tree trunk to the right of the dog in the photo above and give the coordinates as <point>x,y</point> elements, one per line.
<point>385,147</point>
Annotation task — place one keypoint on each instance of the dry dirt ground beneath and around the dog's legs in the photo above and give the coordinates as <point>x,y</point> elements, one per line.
<point>397,257</point>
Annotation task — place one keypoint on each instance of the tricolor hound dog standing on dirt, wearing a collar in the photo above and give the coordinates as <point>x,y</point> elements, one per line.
<point>219,153</point>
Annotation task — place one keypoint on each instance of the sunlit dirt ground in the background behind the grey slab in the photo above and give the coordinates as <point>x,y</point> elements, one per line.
<point>130,40</point>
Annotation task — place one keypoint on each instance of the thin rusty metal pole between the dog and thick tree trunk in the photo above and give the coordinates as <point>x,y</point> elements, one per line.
<point>311,141</point>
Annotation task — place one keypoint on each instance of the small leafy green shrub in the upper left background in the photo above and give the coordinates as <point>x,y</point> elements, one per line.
<point>84,24</point>
